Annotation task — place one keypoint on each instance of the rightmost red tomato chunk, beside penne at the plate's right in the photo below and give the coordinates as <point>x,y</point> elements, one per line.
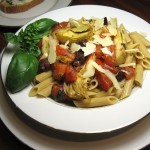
<point>131,72</point>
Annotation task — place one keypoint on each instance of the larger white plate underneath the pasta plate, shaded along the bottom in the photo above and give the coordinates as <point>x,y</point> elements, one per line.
<point>135,138</point>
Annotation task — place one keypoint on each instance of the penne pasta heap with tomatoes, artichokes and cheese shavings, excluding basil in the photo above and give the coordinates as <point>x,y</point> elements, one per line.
<point>92,62</point>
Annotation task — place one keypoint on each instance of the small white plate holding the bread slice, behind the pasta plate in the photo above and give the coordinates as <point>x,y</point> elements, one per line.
<point>19,19</point>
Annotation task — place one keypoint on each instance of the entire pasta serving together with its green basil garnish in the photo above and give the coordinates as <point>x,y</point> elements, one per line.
<point>90,62</point>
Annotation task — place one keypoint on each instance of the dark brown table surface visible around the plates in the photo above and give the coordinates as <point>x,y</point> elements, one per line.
<point>138,7</point>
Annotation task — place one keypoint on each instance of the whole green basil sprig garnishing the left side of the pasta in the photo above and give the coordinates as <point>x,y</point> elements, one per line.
<point>24,64</point>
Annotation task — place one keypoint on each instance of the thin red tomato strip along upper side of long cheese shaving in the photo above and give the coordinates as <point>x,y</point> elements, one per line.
<point>105,66</point>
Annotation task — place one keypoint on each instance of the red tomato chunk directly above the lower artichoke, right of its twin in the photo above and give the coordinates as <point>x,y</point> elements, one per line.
<point>70,74</point>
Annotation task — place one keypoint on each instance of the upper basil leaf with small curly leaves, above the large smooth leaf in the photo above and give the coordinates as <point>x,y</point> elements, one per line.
<point>27,39</point>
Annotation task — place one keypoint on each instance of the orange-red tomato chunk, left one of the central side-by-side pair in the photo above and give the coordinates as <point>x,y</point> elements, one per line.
<point>58,70</point>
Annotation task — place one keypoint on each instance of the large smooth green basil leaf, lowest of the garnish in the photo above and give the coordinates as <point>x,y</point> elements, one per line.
<point>21,71</point>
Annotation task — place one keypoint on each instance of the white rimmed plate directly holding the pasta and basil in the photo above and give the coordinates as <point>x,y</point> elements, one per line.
<point>92,120</point>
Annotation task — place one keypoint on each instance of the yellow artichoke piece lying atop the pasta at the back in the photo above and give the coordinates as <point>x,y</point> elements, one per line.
<point>64,35</point>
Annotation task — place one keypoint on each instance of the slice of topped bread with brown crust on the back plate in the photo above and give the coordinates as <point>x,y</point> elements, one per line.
<point>16,6</point>
